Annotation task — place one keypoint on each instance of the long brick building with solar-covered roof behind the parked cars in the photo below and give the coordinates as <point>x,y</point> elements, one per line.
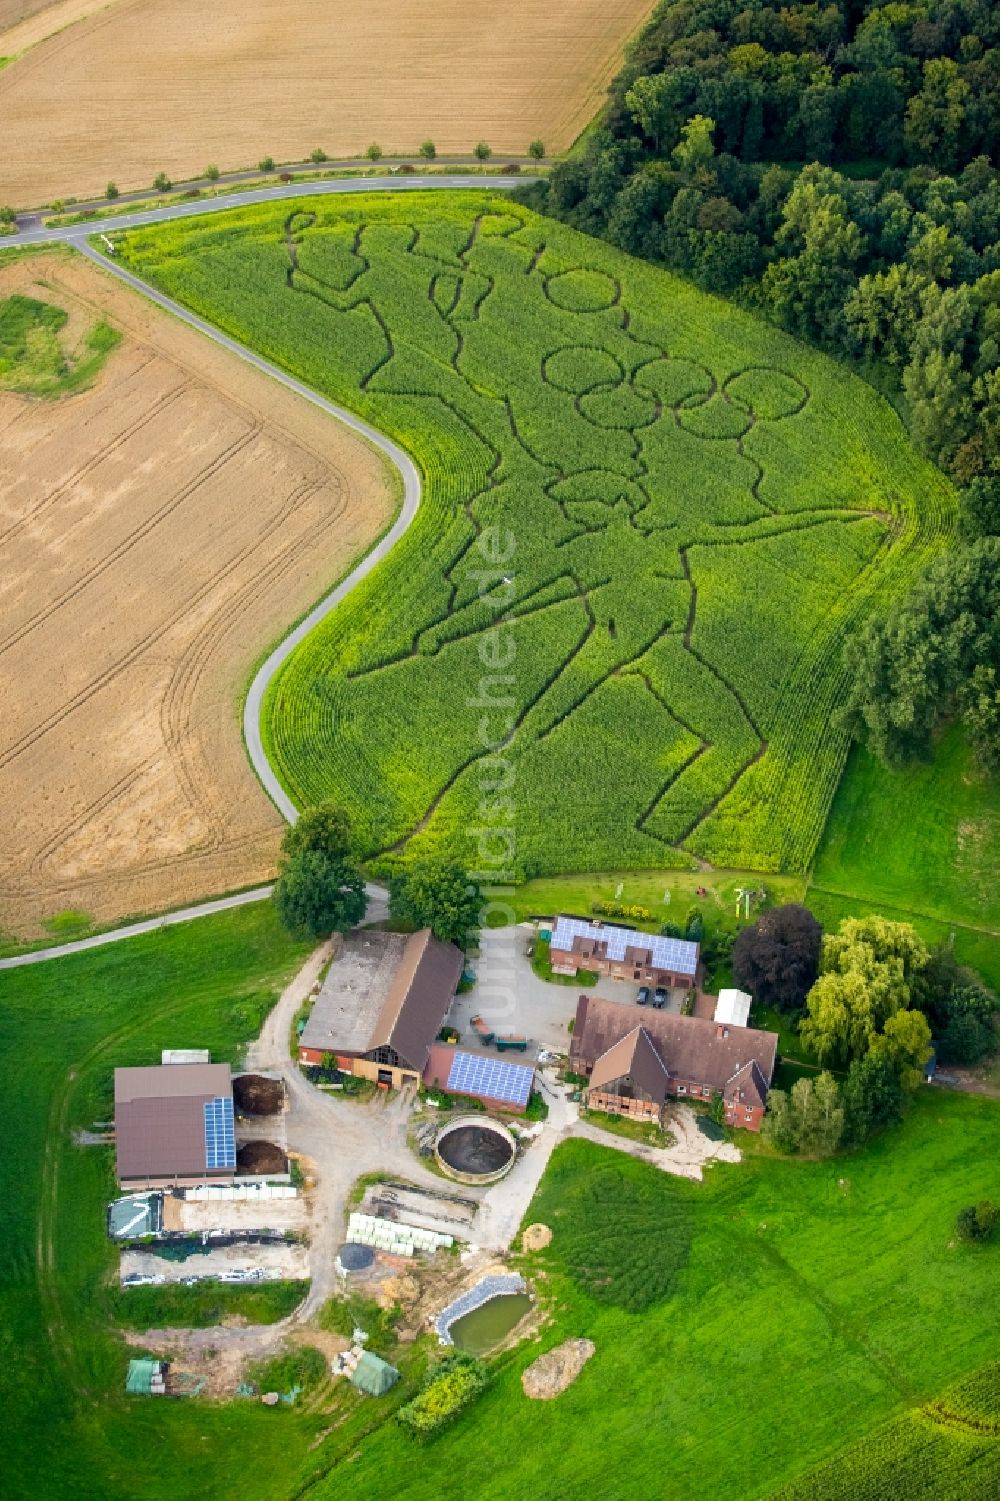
<point>624,954</point>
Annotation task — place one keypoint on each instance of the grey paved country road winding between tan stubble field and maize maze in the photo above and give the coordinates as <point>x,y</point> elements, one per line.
<point>77,236</point>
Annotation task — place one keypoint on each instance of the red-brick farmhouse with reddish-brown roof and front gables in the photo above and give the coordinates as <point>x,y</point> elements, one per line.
<point>634,1068</point>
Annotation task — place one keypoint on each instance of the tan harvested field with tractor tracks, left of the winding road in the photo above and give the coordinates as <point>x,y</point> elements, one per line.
<point>160,529</point>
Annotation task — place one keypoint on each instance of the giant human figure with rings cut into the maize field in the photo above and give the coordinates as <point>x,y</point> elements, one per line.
<point>589,427</point>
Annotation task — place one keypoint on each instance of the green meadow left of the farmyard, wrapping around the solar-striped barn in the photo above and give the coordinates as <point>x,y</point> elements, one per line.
<point>70,1431</point>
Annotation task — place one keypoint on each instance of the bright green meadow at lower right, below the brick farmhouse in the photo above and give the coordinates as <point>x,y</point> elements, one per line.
<point>803,1305</point>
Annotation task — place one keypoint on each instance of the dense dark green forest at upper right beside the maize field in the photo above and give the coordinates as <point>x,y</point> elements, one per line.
<point>836,166</point>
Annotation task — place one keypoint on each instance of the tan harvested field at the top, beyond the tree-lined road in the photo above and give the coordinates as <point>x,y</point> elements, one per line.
<point>152,86</point>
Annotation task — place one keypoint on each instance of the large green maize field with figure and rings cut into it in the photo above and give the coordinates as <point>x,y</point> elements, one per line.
<point>649,523</point>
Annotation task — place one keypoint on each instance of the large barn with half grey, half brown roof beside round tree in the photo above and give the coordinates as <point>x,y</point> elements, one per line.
<point>382,1006</point>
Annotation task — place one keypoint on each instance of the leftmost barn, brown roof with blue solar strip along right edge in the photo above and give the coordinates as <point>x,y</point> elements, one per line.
<point>175,1125</point>
